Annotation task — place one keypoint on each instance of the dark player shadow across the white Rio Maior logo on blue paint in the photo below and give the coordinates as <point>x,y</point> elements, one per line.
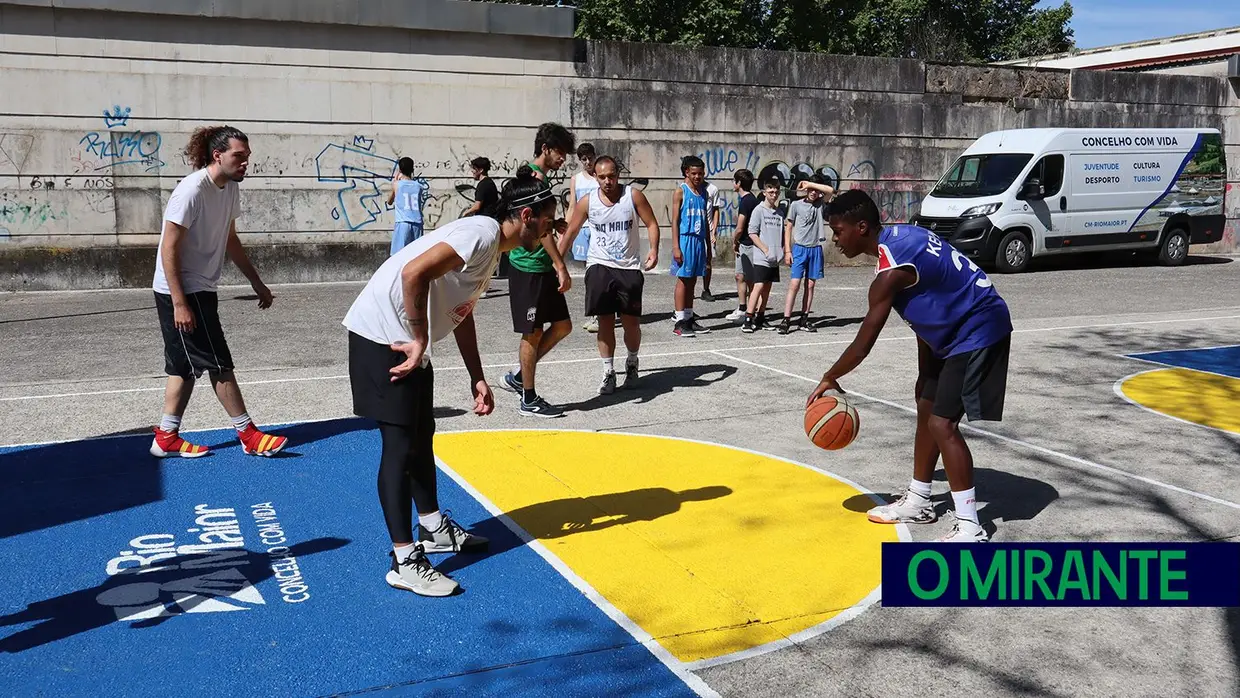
<point>198,583</point>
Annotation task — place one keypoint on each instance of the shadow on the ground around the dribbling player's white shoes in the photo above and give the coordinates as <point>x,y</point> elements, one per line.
<point>1006,497</point>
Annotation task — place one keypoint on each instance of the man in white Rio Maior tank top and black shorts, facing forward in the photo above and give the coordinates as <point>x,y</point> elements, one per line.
<point>614,276</point>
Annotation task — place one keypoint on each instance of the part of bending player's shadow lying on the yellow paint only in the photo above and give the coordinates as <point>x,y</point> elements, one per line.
<point>557,519</point>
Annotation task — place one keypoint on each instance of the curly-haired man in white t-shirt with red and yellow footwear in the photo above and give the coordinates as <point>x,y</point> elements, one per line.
<point>200,226</point>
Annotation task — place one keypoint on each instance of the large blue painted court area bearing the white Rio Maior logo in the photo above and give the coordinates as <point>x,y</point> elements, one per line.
<point>237,576</point>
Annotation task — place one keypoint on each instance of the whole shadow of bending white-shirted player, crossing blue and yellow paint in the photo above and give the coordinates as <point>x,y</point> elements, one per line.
<point>560,519</point>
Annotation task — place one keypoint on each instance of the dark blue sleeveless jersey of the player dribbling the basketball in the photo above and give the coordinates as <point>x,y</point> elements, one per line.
<point>953,307</point>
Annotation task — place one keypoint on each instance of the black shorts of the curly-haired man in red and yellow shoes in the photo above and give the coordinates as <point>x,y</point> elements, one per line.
<point>201,351</point>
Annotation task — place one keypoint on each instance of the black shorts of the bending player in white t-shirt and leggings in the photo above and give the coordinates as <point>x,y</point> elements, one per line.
<point>409,402</point>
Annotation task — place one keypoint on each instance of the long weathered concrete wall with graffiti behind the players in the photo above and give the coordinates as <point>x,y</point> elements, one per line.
<point>97,106</point>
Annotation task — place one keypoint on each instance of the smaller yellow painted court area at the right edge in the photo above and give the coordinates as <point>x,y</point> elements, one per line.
<point>1202,399</point>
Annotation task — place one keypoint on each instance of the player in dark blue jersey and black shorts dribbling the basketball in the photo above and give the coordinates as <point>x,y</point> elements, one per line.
<point>964,335</point>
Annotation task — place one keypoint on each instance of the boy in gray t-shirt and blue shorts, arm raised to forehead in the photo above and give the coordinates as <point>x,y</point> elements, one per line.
<point>804,235</point>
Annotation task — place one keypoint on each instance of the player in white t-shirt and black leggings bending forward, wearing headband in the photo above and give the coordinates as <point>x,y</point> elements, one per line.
<point>423,293</point>
